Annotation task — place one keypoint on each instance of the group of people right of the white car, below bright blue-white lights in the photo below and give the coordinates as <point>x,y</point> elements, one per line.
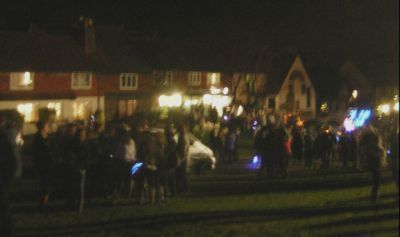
<point>277,143</point>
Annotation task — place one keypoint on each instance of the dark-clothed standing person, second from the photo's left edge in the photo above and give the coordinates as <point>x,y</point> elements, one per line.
<point>43,162</point>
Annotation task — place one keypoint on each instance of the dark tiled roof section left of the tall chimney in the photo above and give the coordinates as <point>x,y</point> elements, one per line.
<point>39,51</point>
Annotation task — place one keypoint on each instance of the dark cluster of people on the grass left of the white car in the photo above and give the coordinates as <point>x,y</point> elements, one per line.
<point>75,155</point>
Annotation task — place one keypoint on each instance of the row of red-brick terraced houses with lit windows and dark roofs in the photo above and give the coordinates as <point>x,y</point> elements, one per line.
<point>111,69</point>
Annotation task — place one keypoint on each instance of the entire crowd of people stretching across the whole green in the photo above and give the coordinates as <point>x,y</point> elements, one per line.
<point>150,166</point>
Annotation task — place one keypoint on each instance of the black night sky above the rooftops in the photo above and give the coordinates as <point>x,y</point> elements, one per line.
<point>327,30</point>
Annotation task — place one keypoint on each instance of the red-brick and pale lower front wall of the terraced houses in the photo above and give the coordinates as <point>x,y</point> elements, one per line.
<point>105,93</point>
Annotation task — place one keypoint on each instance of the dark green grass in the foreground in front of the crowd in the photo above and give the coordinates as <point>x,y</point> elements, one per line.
<point>305,204</point>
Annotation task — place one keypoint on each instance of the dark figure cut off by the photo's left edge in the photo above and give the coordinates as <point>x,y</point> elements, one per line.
<point>10,168</point>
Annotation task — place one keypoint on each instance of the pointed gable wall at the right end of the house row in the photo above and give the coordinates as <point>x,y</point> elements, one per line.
<point>298,96</point>
